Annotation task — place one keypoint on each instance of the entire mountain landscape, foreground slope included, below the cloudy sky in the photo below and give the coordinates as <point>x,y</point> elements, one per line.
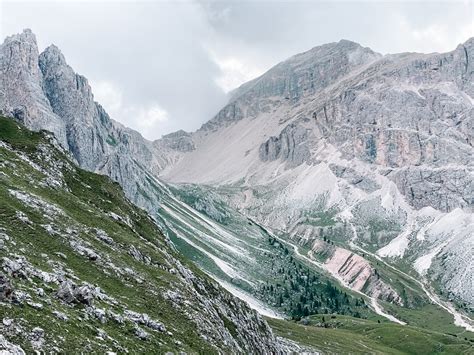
<point>332,195</point>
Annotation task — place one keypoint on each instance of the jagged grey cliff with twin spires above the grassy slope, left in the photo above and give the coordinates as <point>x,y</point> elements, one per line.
<point>43,92</point>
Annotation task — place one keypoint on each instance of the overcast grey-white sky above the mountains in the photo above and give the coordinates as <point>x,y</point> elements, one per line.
<point>160,66</point>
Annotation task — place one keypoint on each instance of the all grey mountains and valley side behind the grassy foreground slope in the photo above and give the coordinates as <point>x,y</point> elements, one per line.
<point>340,181</point>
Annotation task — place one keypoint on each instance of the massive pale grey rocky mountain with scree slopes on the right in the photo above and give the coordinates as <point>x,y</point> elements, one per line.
<point>381,143</point>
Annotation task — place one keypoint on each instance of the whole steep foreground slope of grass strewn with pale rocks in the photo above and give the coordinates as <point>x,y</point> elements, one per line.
<point>84,268</point>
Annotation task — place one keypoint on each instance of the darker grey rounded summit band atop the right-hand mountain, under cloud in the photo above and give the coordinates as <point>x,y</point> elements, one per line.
<point>302,75</point>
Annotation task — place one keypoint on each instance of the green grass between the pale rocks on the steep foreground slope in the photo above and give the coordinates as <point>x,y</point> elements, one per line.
<point>86,203</point>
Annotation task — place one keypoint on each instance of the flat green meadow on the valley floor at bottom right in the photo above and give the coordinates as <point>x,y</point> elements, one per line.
<point>346,335</point>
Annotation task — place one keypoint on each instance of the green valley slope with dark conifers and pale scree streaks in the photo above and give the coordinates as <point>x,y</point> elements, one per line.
<point>280,280</point>
